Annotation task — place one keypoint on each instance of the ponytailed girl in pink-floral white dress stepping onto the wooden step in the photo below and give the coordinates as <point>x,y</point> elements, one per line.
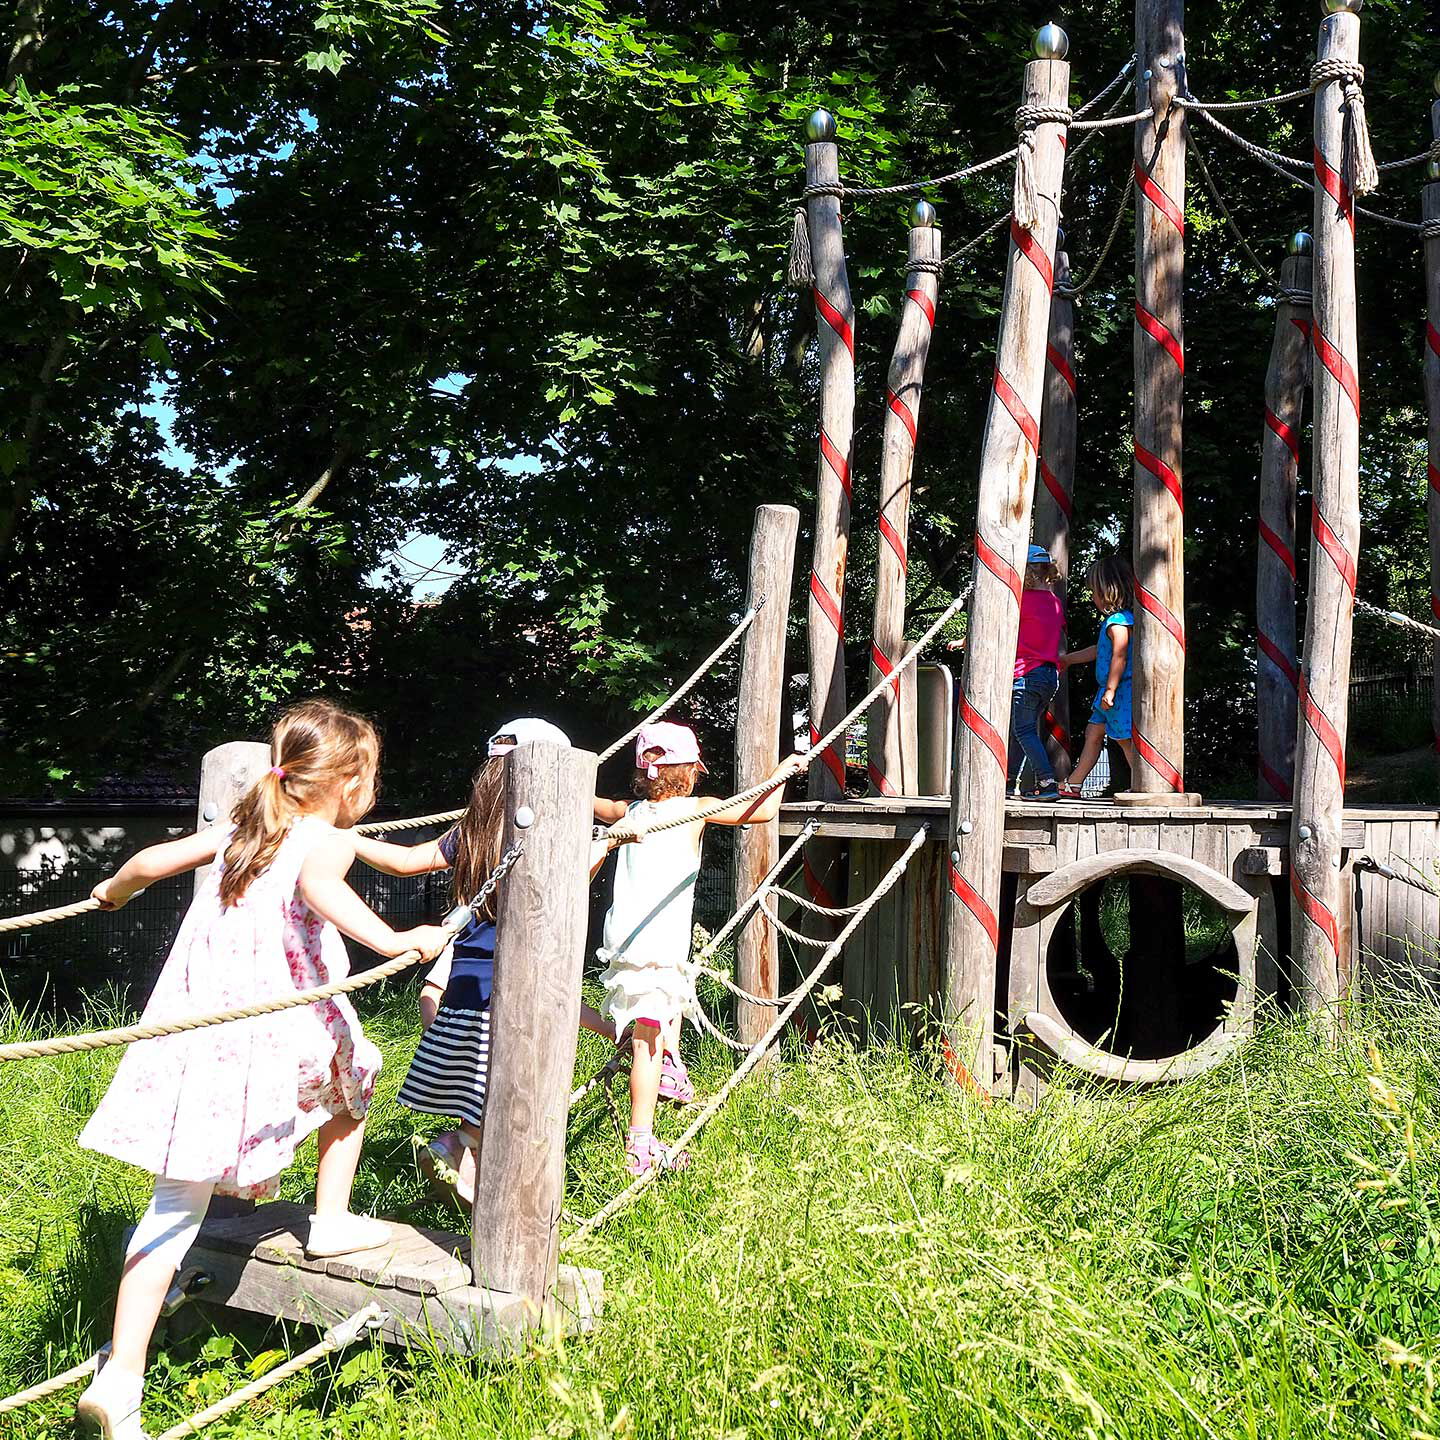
<point>224,1110</point>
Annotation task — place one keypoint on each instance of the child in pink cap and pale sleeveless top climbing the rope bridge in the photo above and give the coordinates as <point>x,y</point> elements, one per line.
<point>649,984</point>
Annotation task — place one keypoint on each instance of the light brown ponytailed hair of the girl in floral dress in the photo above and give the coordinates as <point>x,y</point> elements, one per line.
<point>316,747</point>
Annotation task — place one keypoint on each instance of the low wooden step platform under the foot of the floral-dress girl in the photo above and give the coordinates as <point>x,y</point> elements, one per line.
<point>423,1279</point>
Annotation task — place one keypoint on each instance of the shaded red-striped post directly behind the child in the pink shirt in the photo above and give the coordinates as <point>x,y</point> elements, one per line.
<point>1056,480</point>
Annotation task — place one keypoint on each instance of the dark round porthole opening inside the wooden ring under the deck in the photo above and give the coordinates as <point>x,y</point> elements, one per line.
<point>1143,966</point>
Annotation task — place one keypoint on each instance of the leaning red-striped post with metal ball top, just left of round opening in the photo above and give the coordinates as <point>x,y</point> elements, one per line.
<point>1012,438</point>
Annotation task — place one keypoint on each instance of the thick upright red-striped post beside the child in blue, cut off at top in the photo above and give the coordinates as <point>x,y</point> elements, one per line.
<point>1160,401</point>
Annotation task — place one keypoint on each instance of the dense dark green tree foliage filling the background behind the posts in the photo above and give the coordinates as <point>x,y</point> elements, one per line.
<point>513,276</point>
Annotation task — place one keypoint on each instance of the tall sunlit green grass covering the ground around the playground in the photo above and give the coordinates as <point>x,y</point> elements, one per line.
<point>859,1251</point>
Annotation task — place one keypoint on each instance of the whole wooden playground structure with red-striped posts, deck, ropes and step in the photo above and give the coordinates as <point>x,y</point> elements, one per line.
<point>984,912</point>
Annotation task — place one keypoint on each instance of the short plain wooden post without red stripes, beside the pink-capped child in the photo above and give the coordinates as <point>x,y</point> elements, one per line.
<point>757,751</point>
